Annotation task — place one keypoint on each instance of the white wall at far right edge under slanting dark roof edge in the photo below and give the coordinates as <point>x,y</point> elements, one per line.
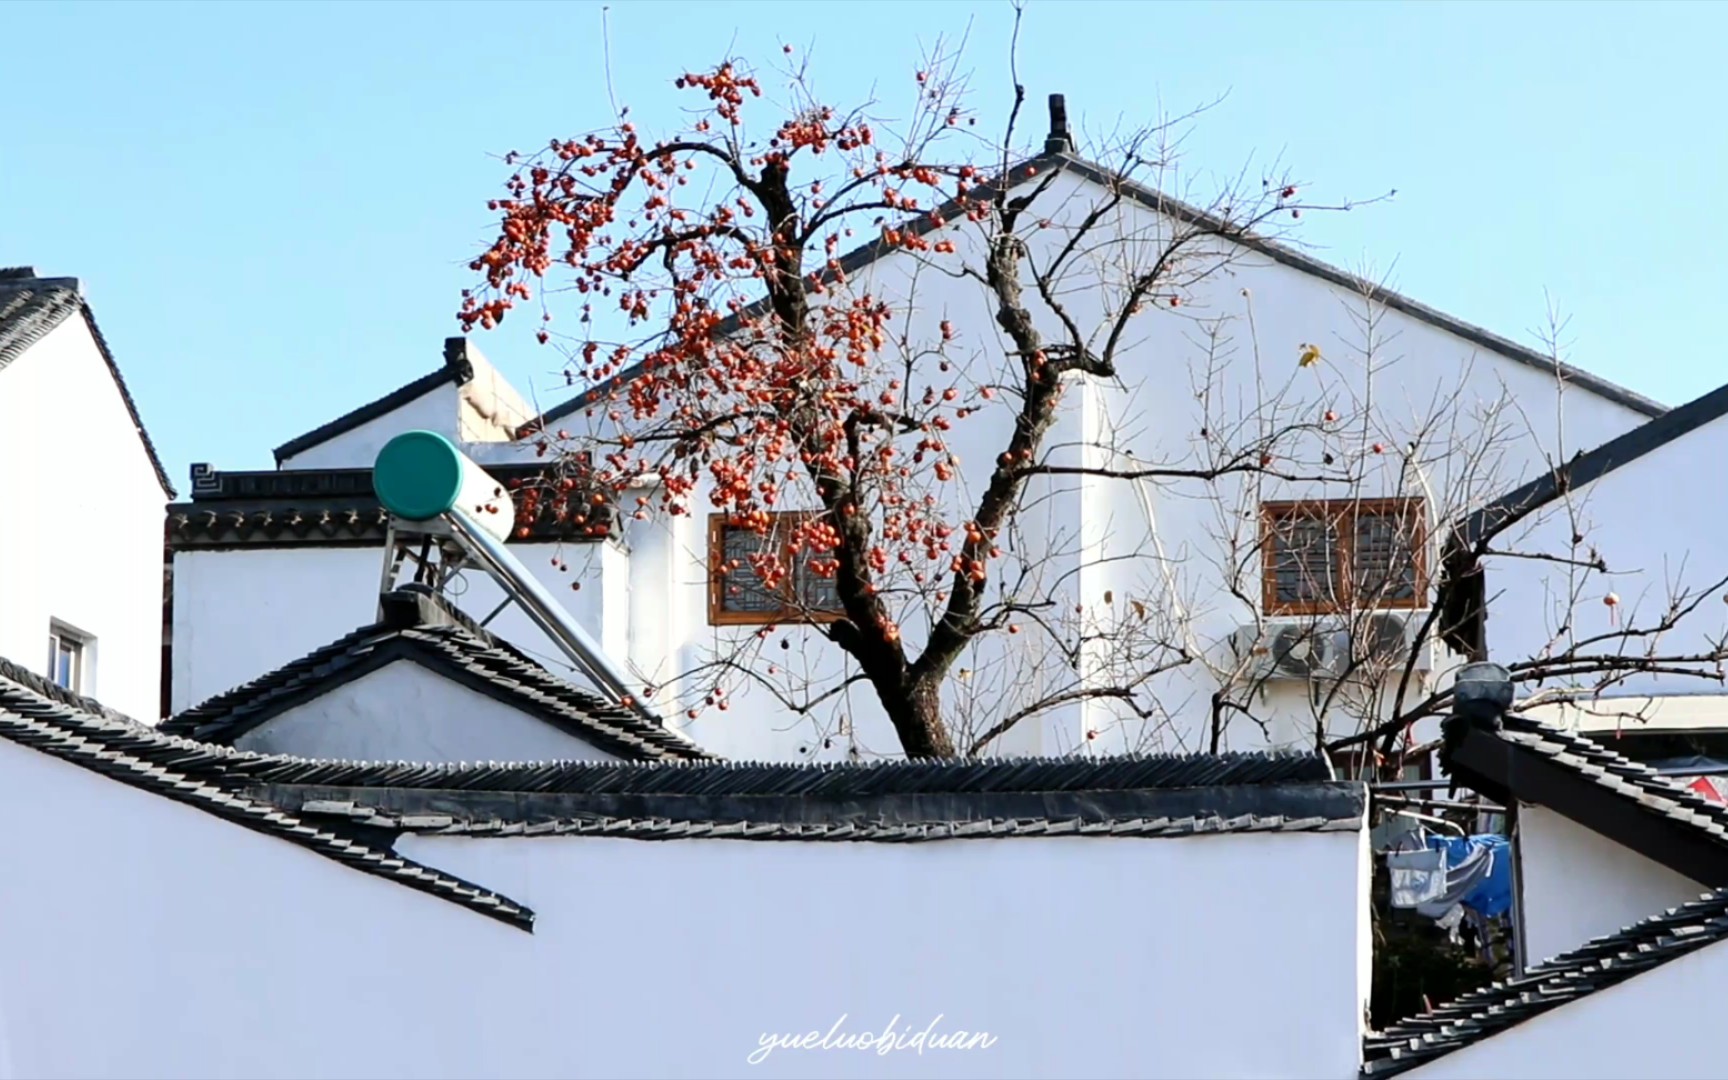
<point>1660,533</point>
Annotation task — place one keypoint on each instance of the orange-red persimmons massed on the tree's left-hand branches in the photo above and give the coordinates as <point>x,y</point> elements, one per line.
<point>768,383</point>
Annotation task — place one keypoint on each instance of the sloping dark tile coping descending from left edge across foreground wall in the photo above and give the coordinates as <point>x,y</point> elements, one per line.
<point>58,725</point>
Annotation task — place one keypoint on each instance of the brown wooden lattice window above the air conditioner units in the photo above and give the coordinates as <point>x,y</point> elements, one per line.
<point>1326,557</point>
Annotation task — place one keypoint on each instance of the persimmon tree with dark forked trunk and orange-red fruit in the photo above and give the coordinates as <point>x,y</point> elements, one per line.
<point>763,379</point>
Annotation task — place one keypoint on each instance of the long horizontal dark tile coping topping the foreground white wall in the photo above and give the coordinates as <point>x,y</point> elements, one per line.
<point>884,803</point>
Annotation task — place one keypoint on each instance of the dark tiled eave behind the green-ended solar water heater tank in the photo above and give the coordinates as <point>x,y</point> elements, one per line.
<point>338,507</point>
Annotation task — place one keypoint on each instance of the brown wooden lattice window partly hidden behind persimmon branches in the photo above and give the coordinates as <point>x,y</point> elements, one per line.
<point>737,594</point>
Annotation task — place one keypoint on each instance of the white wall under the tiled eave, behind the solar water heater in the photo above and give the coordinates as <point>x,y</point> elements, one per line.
<point>245,613</point>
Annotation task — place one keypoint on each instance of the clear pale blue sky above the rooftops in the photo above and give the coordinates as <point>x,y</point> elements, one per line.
<point>272,205</point>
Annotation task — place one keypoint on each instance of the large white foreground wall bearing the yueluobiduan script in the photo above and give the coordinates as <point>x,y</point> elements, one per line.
<point>1204,981</point>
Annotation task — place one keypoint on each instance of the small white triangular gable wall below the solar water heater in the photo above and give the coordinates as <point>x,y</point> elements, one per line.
<point>409,715</point>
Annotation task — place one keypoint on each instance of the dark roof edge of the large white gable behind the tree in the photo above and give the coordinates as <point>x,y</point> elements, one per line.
<point>1290,257</point>
